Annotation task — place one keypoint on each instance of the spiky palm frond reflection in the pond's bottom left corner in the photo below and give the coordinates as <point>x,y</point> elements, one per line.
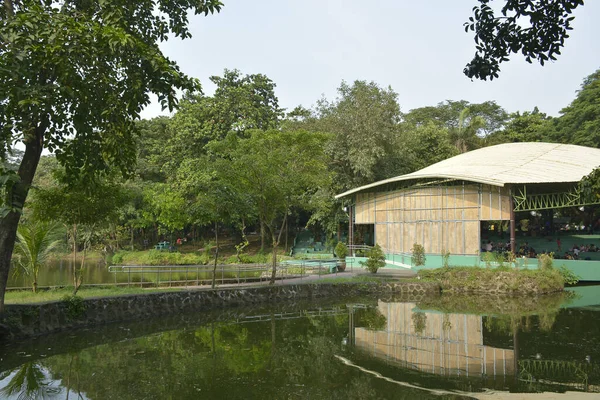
<point>29,382</point>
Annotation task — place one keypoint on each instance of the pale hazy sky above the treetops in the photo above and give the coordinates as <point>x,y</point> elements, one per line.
<point>419,48</point>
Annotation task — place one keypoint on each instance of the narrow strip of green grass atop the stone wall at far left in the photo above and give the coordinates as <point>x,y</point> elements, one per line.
<point>28,297</point>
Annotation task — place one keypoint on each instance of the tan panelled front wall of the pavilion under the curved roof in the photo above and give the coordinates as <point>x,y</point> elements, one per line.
<point>441,218</point>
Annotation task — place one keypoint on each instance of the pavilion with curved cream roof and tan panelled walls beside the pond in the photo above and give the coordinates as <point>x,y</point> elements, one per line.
<point>445,207</point>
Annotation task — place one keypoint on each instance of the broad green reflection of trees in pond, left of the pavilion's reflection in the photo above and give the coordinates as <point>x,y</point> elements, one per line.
<point>268,360</point>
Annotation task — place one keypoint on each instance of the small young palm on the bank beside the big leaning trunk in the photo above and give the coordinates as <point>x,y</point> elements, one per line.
<point>32,250</point>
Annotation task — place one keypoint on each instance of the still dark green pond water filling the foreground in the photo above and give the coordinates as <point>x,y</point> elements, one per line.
<point>443,348</point>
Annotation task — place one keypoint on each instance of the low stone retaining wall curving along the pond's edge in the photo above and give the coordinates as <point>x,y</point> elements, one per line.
<point>43,318</point>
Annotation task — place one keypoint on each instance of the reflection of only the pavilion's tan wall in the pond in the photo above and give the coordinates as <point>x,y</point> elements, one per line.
<point>445,344</point>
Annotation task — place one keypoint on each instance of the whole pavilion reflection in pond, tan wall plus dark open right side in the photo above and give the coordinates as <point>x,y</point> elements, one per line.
<point>551,351</point>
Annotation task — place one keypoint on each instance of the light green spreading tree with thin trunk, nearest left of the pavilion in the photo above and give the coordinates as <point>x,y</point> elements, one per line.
<point>277,170</point>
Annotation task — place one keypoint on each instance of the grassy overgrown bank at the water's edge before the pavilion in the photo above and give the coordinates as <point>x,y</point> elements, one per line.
<point>495,280</point>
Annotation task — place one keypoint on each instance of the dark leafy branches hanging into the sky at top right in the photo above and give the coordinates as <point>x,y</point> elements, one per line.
<point>535,28</point>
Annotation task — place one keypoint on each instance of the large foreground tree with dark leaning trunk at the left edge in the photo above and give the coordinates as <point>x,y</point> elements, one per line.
<point>74,75</point>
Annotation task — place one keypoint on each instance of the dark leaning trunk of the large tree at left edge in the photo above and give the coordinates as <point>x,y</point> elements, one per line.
<point>9,223</point>
